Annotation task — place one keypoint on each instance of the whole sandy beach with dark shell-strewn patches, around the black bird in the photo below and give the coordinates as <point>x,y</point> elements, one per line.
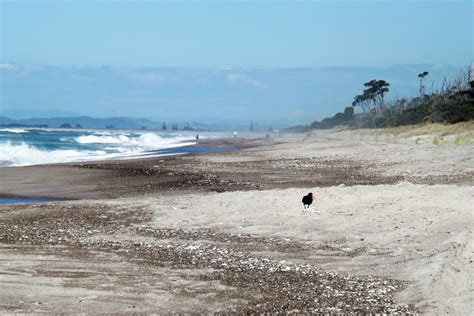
<point>390,230</point>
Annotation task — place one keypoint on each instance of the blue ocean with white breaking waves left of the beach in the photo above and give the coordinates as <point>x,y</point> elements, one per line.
<point>23,147</point>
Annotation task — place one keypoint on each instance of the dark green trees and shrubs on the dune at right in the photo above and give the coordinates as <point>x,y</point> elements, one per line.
<point>452,103</point>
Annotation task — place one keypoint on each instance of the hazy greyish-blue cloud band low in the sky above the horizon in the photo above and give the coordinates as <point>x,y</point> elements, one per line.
<point>286,95</point>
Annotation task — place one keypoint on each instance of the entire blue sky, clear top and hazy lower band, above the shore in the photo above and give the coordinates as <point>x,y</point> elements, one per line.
<point>52,55</point>
